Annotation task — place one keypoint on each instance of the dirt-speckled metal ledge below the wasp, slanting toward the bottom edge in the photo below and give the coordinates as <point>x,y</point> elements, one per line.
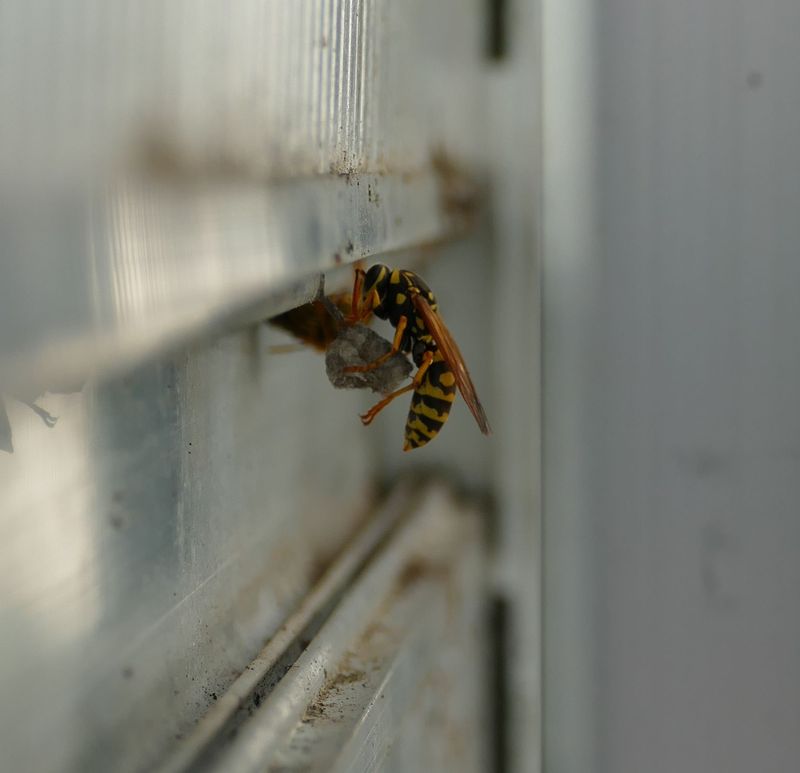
<point>364,669</point>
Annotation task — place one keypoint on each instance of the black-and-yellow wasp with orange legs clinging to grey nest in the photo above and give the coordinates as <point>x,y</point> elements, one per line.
<point>403,298</point>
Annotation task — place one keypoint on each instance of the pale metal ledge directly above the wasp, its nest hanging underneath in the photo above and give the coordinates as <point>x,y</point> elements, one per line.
<point>92,285</point>
